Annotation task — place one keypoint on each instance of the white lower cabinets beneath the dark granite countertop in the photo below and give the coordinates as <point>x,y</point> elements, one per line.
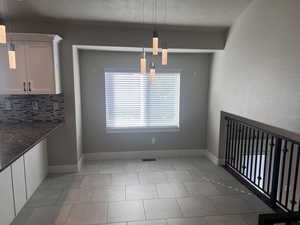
<point>20,180</point>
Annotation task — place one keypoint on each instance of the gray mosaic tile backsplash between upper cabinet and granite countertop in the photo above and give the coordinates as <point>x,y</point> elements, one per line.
<point>31,108</point>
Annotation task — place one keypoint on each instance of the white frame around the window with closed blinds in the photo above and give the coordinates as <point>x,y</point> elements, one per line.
<point>154,129</point>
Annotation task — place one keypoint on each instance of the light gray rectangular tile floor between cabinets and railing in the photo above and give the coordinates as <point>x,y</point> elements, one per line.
<point>172,191</point>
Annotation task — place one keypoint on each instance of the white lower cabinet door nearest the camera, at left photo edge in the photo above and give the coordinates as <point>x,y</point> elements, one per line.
<point>7,212</point>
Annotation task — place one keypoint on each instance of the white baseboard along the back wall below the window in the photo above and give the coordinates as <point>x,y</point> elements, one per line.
<point>145,154</point>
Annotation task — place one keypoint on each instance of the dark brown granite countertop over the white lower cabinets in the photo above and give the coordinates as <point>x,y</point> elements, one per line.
<point>17,138</point>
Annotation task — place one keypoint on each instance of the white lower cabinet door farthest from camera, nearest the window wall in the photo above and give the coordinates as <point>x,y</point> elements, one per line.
<point>36,166</point>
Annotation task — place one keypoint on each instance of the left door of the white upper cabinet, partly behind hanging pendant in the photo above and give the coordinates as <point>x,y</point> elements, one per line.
<point>13,80</point>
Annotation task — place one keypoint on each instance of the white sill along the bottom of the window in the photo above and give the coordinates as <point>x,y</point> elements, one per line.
<point>142,130</point>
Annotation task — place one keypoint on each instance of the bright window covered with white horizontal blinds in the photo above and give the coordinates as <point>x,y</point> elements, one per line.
<point>134,102</point>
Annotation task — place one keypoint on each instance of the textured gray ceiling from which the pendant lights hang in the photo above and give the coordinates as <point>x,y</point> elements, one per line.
<point>171,12</point>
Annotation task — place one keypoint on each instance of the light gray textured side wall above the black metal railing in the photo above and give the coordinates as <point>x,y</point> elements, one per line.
<point>258,74</point>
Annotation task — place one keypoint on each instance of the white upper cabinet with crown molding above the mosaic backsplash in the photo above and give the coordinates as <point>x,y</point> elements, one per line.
<point>37,61</point>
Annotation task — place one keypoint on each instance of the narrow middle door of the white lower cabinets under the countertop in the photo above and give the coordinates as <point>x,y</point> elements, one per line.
<point>19,184</point>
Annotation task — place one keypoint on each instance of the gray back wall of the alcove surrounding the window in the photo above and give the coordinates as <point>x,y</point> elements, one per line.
<point>195,71</point>
